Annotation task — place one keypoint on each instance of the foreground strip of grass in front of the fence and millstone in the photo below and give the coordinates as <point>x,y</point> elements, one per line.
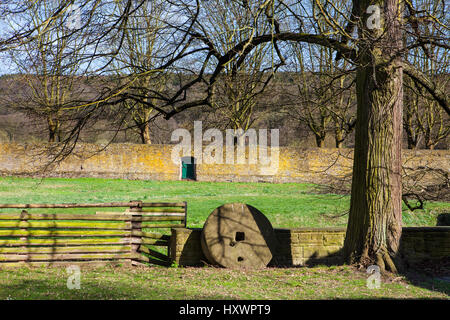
<point>340,282</point>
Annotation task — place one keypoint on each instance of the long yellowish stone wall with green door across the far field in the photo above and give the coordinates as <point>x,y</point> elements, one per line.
<point>153,162</point>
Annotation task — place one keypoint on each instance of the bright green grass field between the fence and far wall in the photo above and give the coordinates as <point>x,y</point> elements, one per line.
<point>289,205</point>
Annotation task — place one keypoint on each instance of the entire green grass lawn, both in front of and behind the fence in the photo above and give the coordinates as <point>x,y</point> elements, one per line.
<point>286,205</point>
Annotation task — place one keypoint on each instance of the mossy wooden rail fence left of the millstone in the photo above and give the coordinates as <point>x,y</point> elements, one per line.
<point>101,237</point>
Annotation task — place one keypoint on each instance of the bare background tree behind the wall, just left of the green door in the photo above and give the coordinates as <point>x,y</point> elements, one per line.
<point>143,44</point>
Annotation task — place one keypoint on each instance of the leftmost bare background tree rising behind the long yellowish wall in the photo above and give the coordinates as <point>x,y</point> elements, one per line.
<point>48,67</point>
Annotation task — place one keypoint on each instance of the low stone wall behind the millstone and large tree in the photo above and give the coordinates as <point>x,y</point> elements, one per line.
<point>309,246</point>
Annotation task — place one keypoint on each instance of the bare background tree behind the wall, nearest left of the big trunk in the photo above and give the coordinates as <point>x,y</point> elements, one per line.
<point>322,101</point>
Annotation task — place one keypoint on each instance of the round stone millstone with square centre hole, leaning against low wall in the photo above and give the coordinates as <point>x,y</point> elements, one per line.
<point>237,235</point>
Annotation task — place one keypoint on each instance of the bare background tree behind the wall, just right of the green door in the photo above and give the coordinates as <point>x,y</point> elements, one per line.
<point>235,93</point>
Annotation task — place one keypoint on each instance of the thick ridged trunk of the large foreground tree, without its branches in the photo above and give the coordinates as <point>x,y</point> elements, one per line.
<point>374,226</point>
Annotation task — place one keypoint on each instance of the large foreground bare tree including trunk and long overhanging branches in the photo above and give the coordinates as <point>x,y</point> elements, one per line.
<point>368,34</point>
